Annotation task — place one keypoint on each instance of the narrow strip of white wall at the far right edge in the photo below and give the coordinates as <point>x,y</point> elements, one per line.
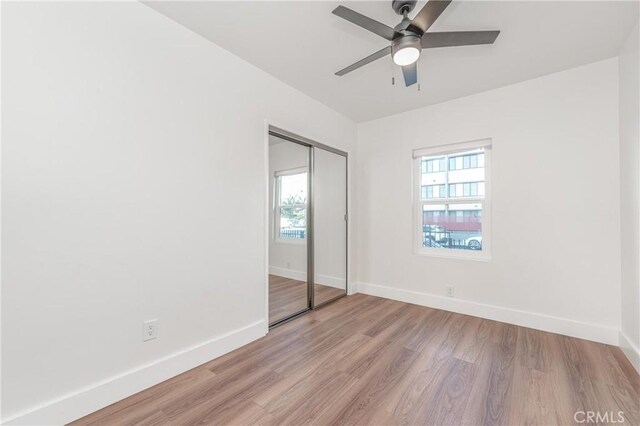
<point>629,195</point>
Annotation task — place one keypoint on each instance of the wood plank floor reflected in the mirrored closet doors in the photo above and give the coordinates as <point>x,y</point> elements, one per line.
<point>287,296</point>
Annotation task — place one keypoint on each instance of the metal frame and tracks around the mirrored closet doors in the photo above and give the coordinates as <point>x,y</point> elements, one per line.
<point>300,140</point>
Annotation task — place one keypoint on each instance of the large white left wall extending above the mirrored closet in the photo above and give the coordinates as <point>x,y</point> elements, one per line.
<point>133,187</point>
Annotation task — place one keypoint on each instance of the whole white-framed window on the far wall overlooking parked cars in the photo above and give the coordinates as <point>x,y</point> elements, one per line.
<point>452,202</point>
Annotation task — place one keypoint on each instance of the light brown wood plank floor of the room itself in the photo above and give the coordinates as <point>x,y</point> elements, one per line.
<point>370,361</point>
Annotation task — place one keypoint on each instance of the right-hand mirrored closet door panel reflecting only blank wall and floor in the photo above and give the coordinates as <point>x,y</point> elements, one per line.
<point>329,225</point>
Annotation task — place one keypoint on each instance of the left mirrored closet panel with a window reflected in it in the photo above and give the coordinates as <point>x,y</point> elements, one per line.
<point>289,170</point>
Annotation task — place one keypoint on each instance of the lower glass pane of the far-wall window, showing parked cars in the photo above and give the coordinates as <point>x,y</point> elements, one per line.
<point>452,226</point>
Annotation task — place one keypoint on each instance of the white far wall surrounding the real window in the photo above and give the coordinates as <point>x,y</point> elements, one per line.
<point>556,206</point>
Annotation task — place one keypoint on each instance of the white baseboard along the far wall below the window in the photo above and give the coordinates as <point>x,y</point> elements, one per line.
<point>565,326</point>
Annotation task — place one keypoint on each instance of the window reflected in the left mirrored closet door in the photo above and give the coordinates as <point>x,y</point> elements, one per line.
<point>291,205</point>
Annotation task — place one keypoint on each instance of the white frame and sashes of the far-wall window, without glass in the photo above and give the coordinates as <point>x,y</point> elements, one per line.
<point>418,202</point>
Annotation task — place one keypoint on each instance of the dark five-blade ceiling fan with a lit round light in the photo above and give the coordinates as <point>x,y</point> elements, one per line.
<point>410,36</point>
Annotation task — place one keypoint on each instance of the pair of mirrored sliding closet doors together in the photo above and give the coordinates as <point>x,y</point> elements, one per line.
<point>308,225</point>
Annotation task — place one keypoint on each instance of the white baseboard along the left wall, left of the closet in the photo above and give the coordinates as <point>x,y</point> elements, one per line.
<point>92,398</point>
